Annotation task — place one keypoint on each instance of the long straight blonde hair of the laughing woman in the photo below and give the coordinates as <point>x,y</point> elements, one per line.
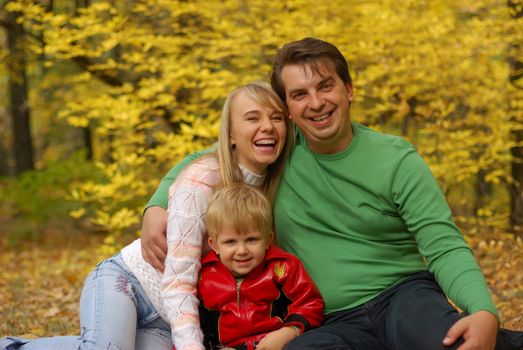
<point>262,94</point>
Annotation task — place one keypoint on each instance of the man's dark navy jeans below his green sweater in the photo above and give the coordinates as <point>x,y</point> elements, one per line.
<point>414,314</point>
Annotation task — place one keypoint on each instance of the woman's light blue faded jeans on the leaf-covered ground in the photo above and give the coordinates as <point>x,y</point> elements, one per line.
<point>115,313</point>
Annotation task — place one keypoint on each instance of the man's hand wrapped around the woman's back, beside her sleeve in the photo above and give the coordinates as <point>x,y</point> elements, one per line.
<point>154,242</point>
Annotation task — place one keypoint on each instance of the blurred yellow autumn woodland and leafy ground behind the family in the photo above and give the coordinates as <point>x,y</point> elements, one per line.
<point>98,99</point>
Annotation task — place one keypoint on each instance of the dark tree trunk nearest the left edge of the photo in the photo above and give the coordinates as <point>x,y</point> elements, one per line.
<point>19,103</point>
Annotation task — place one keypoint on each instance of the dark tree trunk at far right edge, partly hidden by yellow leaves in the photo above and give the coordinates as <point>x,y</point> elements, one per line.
<point>516,188</point>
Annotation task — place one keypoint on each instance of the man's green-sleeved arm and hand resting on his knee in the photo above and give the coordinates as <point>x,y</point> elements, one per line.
<point>423,207</point>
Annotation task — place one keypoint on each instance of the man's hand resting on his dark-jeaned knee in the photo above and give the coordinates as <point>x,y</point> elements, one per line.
<point>478,330</point>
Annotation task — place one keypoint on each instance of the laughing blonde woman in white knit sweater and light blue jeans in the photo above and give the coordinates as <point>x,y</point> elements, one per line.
<point>126,303</point>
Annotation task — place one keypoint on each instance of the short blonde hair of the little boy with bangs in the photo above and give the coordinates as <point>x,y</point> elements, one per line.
<point>239,207</point>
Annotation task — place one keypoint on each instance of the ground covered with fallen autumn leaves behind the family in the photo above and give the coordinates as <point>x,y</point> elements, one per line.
<point>41,278</point>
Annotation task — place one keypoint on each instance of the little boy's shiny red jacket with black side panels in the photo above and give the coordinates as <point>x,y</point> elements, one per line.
<point>278,292</point>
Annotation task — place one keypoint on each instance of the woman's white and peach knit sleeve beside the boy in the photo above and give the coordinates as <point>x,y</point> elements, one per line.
<point>185,235</point>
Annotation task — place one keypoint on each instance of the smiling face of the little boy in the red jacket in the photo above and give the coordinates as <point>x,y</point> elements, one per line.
<point>240,252</point>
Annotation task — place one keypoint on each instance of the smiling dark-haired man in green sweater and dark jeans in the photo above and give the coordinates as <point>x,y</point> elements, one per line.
<point>365,215</point>
